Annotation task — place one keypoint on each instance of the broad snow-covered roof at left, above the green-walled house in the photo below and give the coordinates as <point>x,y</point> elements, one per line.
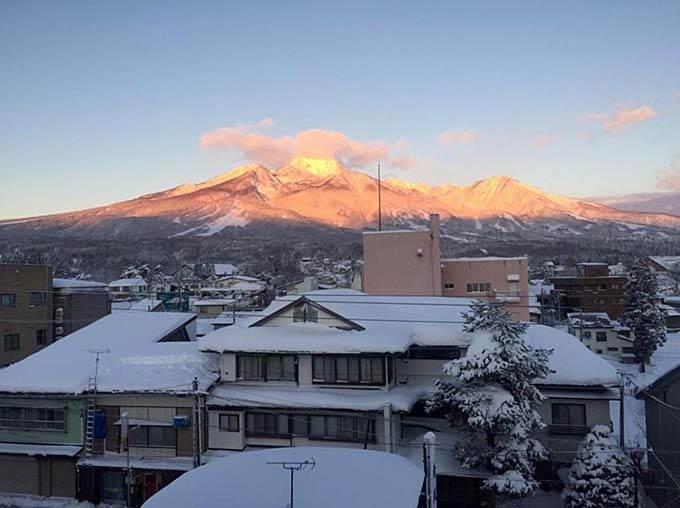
<point>136,361</point>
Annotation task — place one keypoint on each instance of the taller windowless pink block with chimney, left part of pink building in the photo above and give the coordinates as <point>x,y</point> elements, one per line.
<point>402,263</point>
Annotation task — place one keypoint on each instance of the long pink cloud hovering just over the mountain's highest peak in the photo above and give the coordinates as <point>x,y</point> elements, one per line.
<point>249,140</point>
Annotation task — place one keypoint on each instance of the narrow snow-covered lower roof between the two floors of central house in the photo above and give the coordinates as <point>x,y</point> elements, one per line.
<point>402,398</point>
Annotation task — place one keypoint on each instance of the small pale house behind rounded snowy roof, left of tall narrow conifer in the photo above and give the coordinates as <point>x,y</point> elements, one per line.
<point>602,335</point>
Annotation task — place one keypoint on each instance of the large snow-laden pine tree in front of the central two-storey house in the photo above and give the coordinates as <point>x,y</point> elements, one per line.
<point>488,396</point>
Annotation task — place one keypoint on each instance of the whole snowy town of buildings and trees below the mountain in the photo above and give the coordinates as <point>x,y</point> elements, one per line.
<point>483,385</point>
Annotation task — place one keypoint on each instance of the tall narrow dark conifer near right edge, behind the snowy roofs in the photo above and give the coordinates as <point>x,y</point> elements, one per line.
<point>642,314</point>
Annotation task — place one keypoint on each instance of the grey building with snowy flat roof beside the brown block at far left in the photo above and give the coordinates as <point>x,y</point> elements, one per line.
<point>77,303</point>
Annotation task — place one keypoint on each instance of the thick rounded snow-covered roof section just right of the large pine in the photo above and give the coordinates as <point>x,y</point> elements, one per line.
<point>572,362</point>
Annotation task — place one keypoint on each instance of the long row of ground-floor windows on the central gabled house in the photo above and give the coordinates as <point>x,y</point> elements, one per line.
<point>322,427</point>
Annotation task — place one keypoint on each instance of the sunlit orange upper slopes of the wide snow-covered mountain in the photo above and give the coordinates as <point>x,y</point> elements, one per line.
<point>323,192</point>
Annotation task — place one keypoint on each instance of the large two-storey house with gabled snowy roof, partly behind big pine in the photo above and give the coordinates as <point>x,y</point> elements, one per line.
<point>343,368</point>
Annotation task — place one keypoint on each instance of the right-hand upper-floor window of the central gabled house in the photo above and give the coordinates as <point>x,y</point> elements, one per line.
<point>348,369</point>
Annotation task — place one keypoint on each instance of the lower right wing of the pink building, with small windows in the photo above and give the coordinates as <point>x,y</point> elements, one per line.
<point>508,277</point>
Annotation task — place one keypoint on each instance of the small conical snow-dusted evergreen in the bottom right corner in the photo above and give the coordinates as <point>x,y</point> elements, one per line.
<point>601,475</point>
